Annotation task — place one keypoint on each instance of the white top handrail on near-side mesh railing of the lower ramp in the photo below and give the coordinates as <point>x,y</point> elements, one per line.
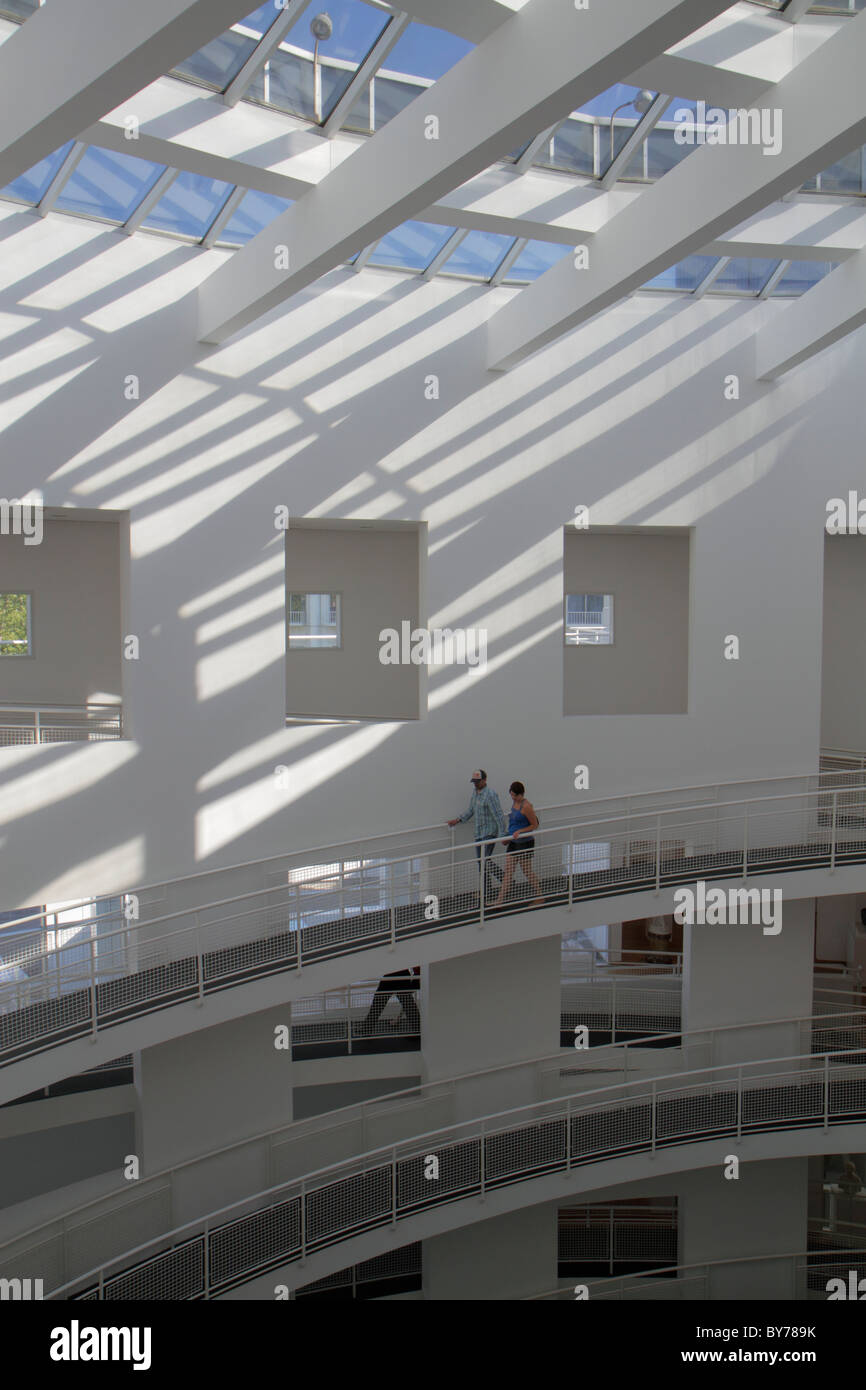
<point>635,1090</point>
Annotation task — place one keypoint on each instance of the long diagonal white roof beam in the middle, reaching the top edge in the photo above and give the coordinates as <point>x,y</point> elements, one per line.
<point>536,69</point>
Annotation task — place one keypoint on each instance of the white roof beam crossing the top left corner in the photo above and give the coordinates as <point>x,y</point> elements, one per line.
<point>74,62</point>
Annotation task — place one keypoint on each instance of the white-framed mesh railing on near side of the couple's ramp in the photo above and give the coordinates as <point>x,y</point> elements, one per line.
<point>350,907</point>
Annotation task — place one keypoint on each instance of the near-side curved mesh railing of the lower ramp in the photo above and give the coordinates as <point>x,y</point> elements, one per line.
<point>389,1186</point>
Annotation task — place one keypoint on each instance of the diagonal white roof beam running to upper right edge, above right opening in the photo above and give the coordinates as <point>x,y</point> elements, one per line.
<point>697,201</point>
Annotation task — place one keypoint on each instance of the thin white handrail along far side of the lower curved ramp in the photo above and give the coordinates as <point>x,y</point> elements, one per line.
<point>561,1057</point>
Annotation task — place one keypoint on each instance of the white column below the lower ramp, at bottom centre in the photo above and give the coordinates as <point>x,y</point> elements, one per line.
<point>507,1257</point>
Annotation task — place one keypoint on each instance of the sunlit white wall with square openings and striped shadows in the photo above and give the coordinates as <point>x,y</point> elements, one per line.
<point>322,408</point>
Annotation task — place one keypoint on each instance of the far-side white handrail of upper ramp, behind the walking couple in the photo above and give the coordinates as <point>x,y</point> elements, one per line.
<point>441,826</point>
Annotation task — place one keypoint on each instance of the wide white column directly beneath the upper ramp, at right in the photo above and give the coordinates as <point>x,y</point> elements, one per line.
<point>737,975</point>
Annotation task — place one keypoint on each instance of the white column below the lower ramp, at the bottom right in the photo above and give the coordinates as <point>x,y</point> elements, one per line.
<point>761,1213</point>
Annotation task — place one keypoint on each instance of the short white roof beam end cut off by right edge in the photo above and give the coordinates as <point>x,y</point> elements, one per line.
<point>828,312</point>
